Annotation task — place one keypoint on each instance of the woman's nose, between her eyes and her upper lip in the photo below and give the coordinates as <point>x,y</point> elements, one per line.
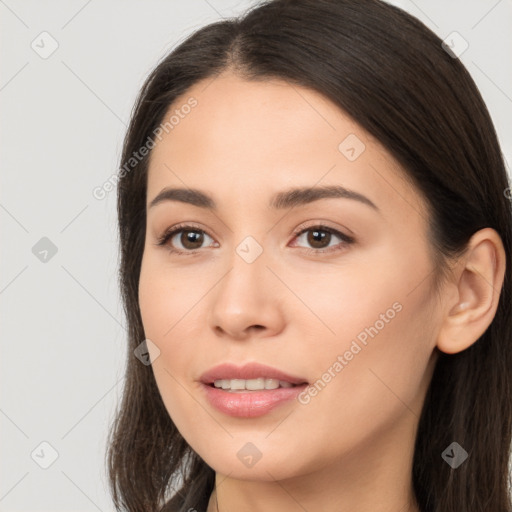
<point>247,301</point>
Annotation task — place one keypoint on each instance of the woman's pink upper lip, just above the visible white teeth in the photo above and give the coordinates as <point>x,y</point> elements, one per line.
<point>230,371</point>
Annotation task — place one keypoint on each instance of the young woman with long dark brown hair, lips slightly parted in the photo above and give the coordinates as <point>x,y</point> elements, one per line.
<point>315,259</point>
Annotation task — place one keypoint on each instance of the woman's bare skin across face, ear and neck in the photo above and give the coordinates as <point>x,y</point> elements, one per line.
<point>351,447</point>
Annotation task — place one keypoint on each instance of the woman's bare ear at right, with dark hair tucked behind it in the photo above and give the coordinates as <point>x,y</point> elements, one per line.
<point>476,291</point>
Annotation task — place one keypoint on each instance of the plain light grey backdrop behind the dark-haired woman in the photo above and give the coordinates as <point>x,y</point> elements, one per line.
<point>63,119</point>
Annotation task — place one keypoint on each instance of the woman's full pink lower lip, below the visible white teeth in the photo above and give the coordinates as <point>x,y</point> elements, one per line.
<point>252,403</point>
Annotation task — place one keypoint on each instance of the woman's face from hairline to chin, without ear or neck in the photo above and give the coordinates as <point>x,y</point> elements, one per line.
<point>332,290</point>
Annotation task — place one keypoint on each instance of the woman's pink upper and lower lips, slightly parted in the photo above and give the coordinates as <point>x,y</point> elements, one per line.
<point>249,404</point>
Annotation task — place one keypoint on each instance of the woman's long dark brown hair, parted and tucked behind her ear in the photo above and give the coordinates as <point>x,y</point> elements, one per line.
<point>390,73</point>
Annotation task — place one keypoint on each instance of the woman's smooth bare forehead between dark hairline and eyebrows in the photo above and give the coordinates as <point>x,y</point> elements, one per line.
<point>252,138</point>
